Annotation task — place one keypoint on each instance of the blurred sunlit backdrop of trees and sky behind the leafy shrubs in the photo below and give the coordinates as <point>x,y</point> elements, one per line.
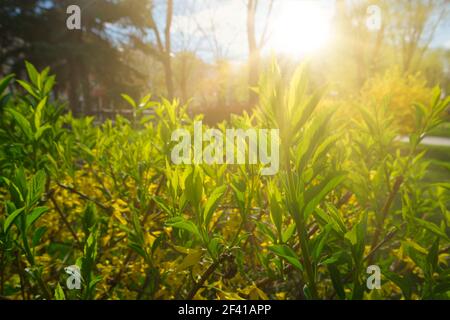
<point>210,53</point>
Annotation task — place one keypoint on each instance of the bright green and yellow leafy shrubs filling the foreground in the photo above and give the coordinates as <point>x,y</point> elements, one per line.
<point>108,199</point>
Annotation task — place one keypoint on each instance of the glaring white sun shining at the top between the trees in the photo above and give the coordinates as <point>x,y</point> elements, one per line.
<point>300,27</point>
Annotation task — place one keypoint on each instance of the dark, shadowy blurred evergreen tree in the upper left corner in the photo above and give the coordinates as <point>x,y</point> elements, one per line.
<point>36,31</point>
